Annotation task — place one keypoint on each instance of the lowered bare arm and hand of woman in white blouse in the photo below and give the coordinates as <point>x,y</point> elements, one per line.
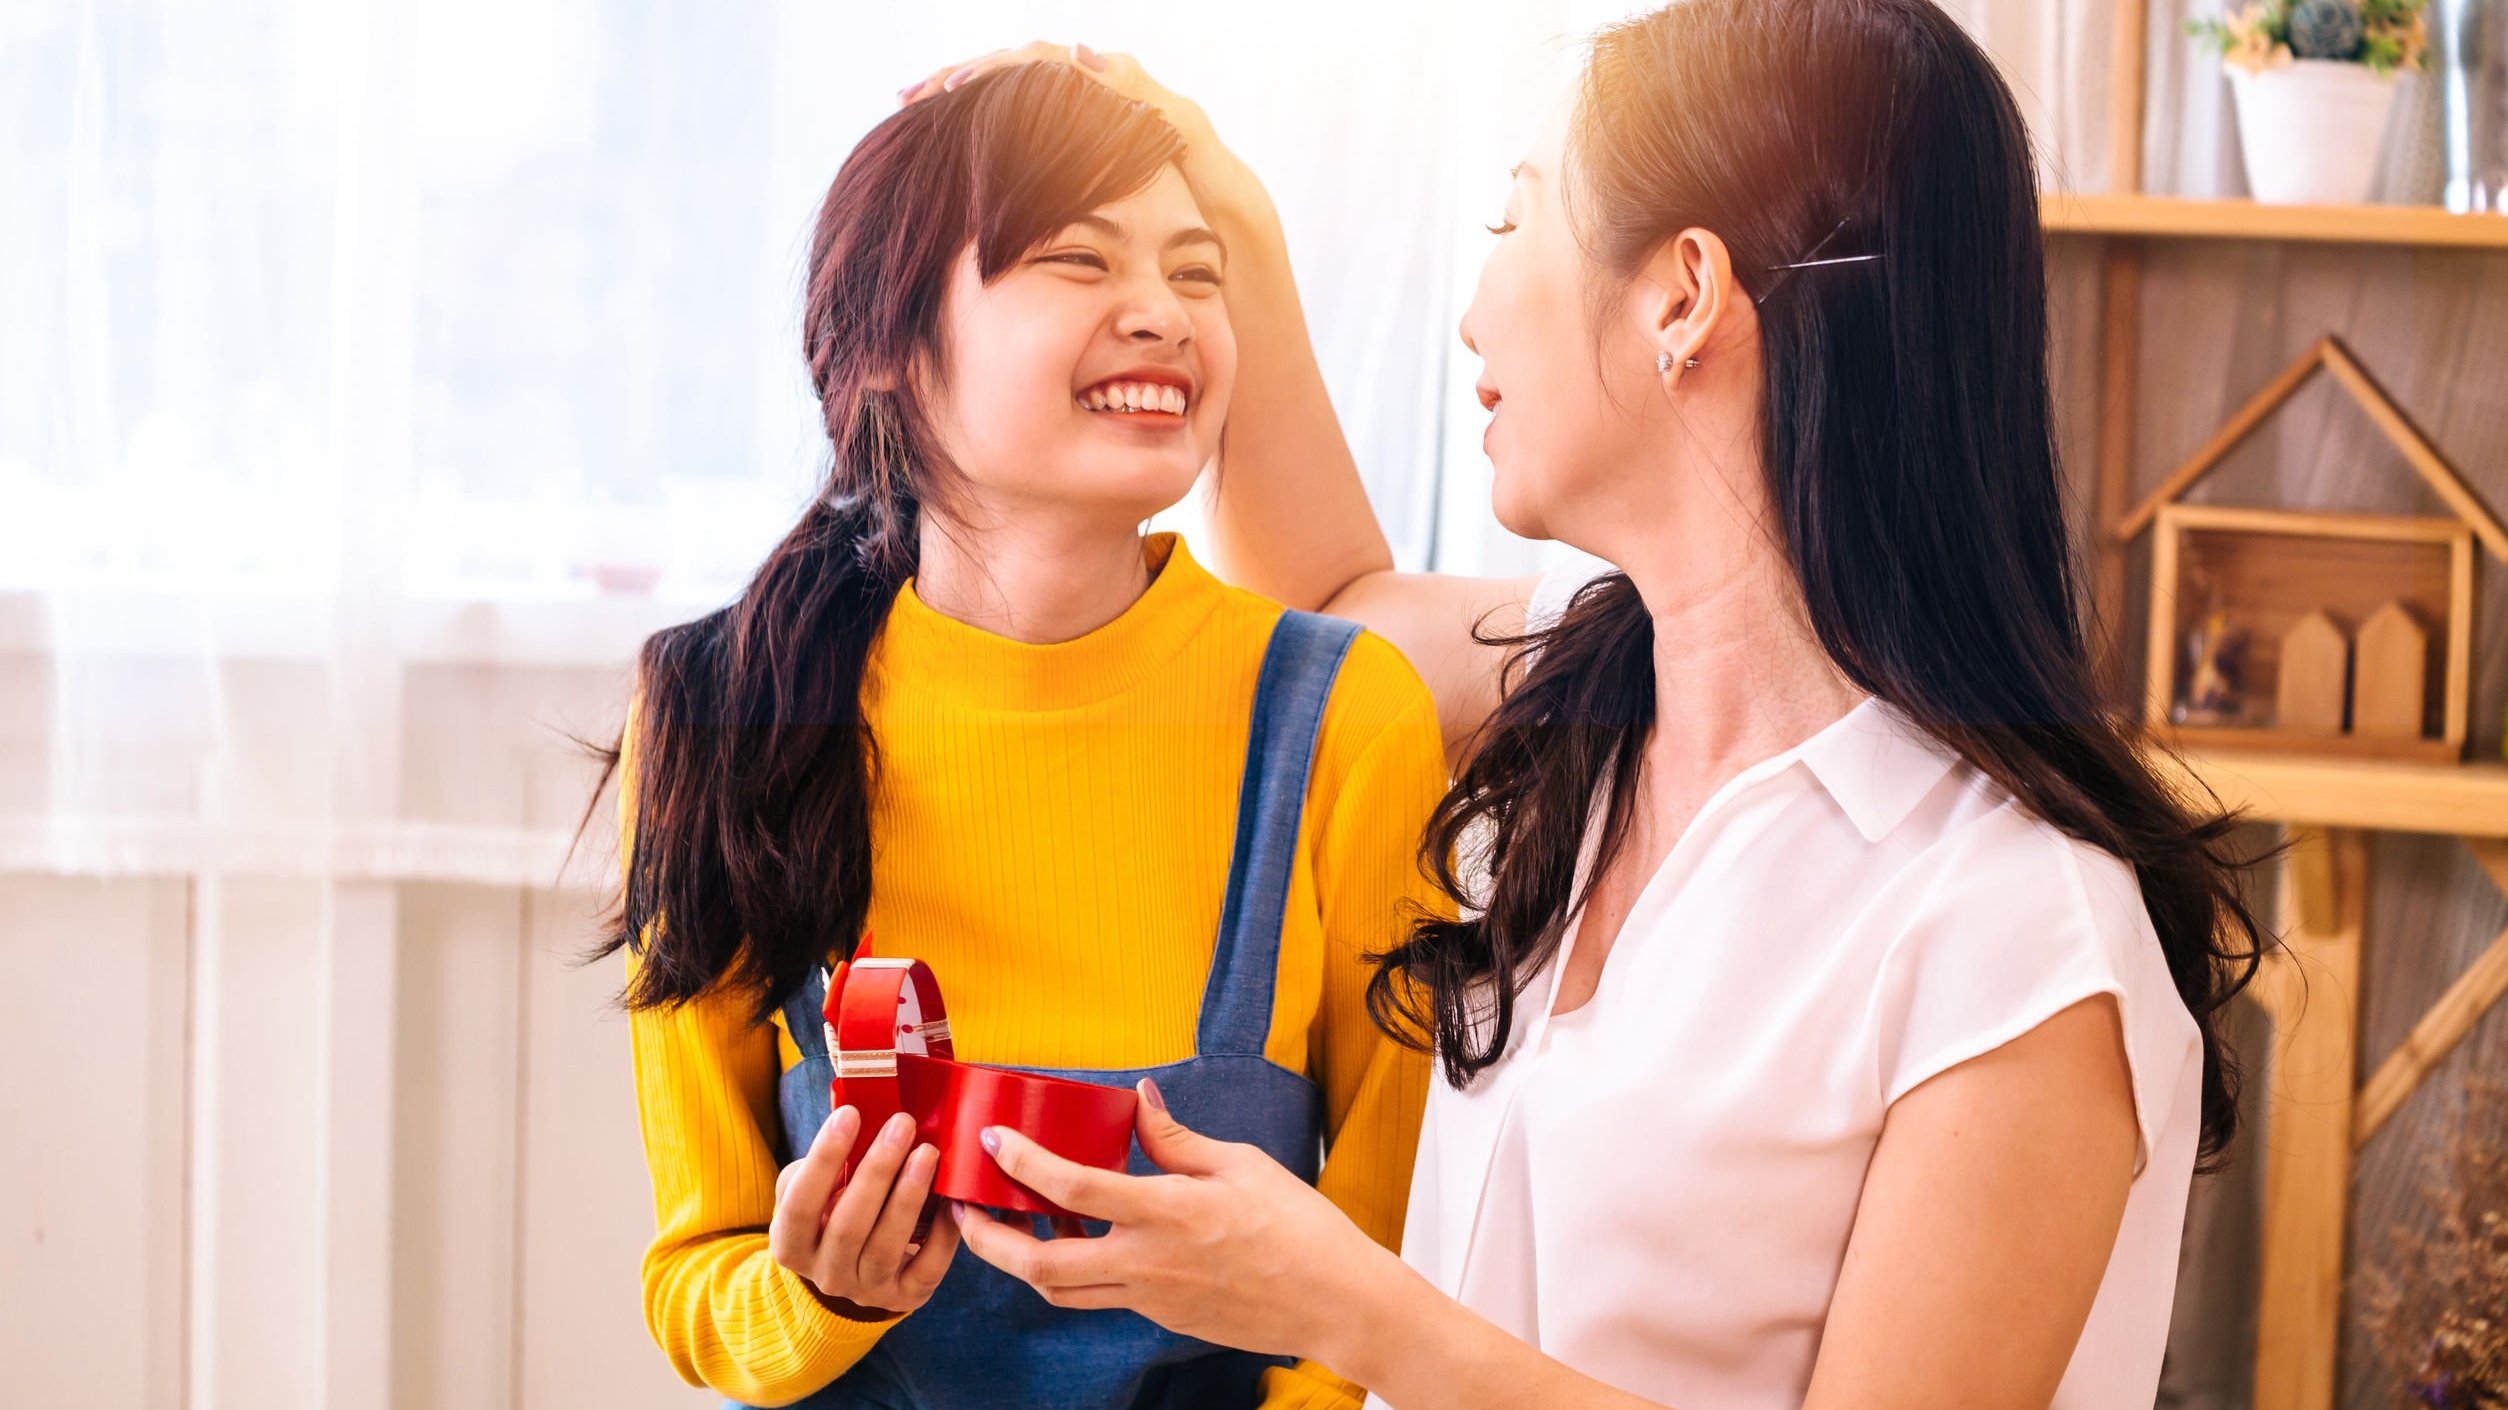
<point>2025,1148</point>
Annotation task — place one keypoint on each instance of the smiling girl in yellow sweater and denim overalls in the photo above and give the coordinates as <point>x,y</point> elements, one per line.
<point>1137,822</point>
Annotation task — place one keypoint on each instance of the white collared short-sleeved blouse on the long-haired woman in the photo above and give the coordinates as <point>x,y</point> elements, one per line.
<point>1659,1188</point>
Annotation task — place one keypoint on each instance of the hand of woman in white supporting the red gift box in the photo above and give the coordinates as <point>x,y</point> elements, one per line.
<point>1228,1246</point>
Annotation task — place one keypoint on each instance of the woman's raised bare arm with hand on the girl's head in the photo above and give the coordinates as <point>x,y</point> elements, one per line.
<point>1288,511</point>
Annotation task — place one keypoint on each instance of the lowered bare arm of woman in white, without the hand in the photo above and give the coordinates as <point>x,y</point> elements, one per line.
<point>2025,1148</point>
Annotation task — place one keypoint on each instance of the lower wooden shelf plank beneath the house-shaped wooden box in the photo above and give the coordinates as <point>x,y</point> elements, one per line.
<point>2391,797</point>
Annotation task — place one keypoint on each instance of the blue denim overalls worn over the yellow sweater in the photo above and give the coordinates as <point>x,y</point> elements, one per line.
<point>989,1341</point>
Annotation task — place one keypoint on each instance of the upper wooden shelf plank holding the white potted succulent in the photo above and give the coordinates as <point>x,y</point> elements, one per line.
<point>2183,217</point>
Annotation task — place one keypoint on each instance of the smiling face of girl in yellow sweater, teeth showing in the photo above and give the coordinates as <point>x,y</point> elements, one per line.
<point>1095,375</point>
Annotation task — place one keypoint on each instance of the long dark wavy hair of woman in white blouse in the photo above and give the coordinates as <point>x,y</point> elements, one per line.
<point>1912,468</point>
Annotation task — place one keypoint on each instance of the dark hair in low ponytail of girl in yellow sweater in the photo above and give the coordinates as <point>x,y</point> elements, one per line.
<point>754,764</point>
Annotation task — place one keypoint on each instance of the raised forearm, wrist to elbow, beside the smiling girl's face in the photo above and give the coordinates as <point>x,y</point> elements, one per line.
<point>1288,511</point>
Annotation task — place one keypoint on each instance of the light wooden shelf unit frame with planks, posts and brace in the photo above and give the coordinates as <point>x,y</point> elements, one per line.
<point>2319,1110</point>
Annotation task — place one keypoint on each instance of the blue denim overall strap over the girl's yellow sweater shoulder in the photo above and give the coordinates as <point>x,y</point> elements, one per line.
<point>1290,694</point>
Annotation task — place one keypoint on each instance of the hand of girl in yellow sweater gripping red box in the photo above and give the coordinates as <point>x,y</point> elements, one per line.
<point>856,1246</point>
